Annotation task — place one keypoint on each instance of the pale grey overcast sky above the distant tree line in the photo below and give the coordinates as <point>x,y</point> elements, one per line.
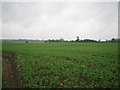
<point>55,20</point>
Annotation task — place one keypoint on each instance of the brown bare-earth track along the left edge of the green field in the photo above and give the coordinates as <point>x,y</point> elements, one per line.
<point>10,72</point>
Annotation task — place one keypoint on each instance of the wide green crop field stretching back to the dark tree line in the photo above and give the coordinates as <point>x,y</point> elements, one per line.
<point>63,65</point>
